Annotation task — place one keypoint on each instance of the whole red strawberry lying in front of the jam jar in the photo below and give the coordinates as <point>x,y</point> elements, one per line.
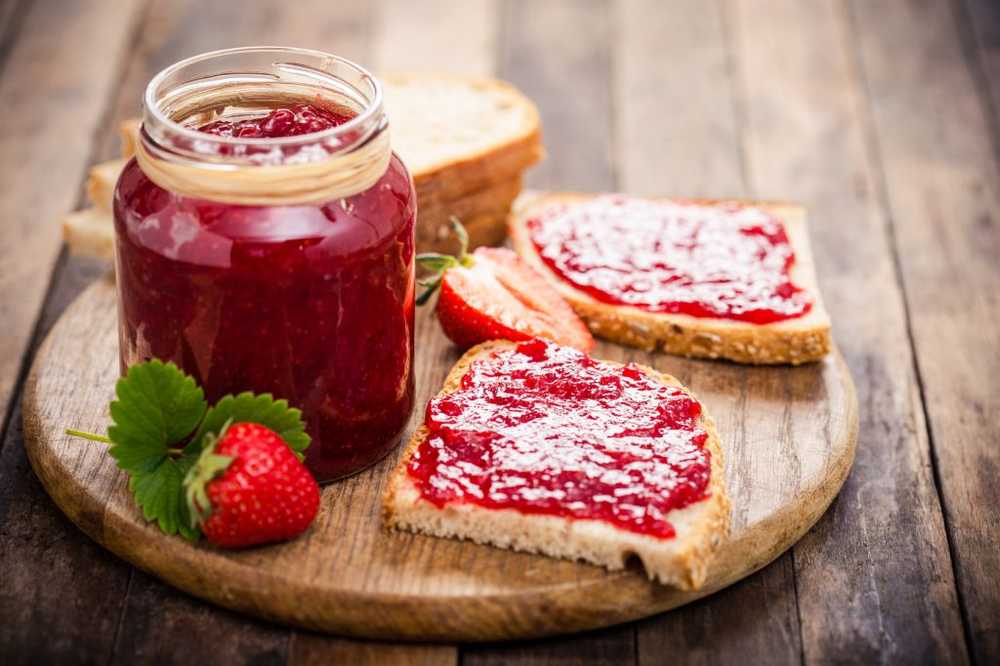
<point>248,488</point>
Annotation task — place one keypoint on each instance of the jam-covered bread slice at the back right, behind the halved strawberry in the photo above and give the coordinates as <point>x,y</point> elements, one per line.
<point>707,279</point>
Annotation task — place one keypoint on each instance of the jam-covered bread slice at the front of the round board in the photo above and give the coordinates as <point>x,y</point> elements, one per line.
<point>551,476</point>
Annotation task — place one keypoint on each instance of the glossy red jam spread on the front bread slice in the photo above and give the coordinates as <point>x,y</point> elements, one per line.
<point>546,429</point>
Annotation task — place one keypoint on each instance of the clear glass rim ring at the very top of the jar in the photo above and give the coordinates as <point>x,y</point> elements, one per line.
<point>371,110</point>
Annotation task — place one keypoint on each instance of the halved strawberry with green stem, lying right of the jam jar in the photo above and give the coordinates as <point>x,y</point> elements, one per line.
<point>493,294</point>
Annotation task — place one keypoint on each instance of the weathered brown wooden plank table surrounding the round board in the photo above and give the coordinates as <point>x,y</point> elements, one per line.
<point>880,115</point>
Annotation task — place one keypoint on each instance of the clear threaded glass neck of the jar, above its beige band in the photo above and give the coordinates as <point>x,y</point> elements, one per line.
<point>236,84</point>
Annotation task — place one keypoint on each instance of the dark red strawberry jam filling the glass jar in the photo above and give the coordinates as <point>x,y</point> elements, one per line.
<point>311,303</point>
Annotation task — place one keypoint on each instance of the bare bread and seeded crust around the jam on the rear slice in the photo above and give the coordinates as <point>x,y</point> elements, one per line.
<point>792,341</point>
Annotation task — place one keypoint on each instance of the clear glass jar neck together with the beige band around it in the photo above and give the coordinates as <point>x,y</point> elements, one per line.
<point>329,164</point>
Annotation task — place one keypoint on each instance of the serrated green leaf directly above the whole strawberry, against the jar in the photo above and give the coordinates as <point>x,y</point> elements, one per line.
<point>249,408</point>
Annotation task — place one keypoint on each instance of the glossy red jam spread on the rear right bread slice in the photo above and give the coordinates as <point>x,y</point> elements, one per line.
<point>726,261</point>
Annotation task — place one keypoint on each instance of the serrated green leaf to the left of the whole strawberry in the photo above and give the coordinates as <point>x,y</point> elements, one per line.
<point>157,408</point>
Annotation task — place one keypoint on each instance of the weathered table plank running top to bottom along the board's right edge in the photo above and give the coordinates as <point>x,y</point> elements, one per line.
<point>874,580</point>
